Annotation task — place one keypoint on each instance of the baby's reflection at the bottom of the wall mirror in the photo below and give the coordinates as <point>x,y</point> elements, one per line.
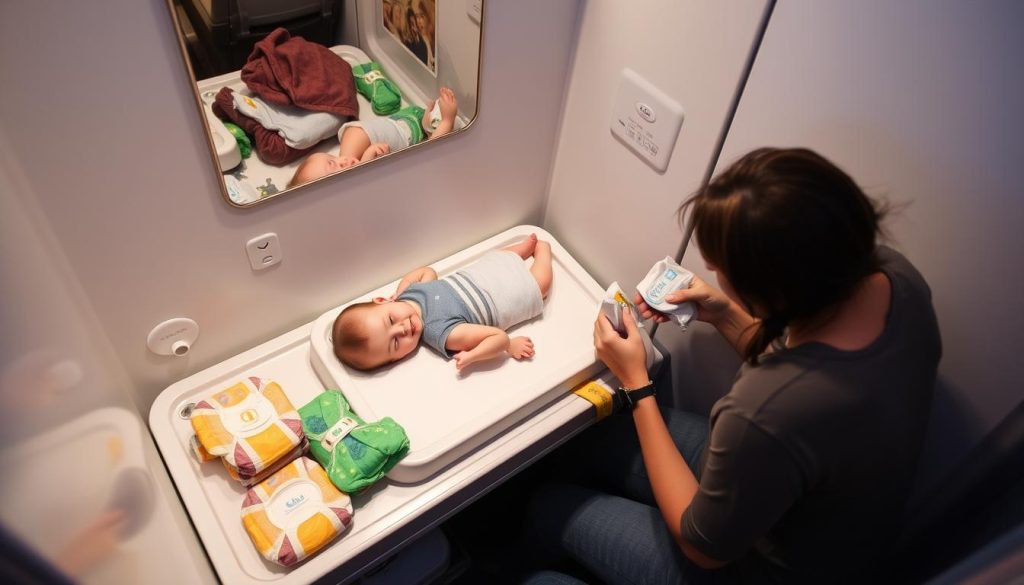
<point>366,140</point>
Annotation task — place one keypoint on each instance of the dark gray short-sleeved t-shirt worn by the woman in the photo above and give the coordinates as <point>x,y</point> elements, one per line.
<point>813,453</point>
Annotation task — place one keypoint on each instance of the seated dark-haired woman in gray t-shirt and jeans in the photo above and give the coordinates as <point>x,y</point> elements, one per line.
<point>804,469</point>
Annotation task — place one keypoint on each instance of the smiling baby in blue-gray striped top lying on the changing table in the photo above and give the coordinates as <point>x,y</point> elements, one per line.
<point>462,316</point>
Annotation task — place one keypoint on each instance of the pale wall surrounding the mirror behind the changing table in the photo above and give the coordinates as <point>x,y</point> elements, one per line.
<point>104,127</point>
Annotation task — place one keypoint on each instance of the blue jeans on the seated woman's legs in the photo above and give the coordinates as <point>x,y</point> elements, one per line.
<point>611,524</point>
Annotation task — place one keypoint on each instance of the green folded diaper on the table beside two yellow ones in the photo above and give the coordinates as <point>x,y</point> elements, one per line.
<point>356,454</point>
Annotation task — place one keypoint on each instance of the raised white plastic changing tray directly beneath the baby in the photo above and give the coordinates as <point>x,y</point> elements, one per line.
<point>447,414</point>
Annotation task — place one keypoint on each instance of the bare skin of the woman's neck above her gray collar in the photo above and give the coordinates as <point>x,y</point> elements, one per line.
<point>856,324</point>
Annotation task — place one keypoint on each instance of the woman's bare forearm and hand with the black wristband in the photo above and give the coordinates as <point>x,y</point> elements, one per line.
<point>671,479</point>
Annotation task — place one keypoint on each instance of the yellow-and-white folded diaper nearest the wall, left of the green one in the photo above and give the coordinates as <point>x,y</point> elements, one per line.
<point>251,426</point>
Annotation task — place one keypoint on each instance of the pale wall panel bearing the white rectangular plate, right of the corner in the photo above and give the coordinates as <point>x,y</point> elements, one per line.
<point>613,212</point>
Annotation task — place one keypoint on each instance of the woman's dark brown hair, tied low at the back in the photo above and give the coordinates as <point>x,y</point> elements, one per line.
<point>794,235</point>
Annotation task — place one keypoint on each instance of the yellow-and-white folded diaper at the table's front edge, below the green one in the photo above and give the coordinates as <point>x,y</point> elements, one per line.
<point>295,513</point>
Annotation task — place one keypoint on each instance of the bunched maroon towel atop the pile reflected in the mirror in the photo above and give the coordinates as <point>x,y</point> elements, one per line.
<point>294,72</point>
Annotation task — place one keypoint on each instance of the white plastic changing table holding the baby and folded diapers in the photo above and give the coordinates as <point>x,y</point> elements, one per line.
<point>440,482</point>
